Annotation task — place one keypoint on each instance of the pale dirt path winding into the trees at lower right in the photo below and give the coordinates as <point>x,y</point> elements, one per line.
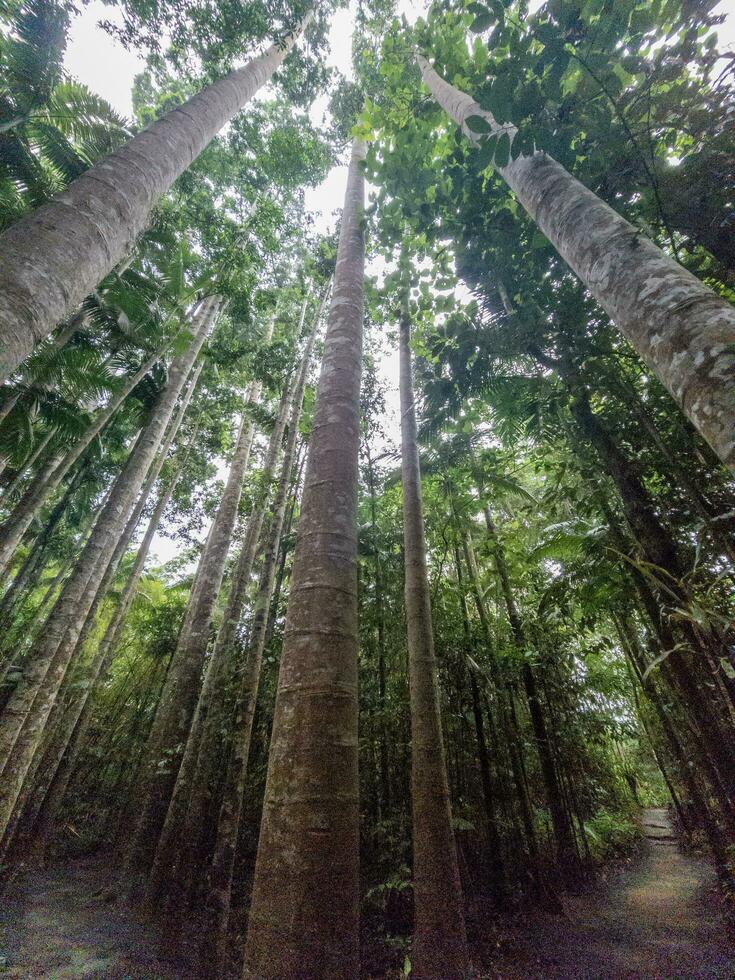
<point>660,919</point>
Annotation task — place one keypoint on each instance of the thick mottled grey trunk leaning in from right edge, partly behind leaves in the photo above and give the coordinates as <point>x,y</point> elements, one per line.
<point>680,327</point>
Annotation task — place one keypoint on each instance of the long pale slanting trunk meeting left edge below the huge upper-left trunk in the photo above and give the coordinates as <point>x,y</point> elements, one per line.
<point>24,717</point>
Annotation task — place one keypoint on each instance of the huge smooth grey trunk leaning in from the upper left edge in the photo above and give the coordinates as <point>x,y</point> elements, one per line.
<point>50,260</point>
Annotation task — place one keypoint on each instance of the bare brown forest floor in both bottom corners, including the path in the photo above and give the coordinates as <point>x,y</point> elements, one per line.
<point>659,918</point>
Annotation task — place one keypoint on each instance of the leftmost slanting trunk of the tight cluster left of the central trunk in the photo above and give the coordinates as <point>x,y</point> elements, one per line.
<point>181,691</point>
